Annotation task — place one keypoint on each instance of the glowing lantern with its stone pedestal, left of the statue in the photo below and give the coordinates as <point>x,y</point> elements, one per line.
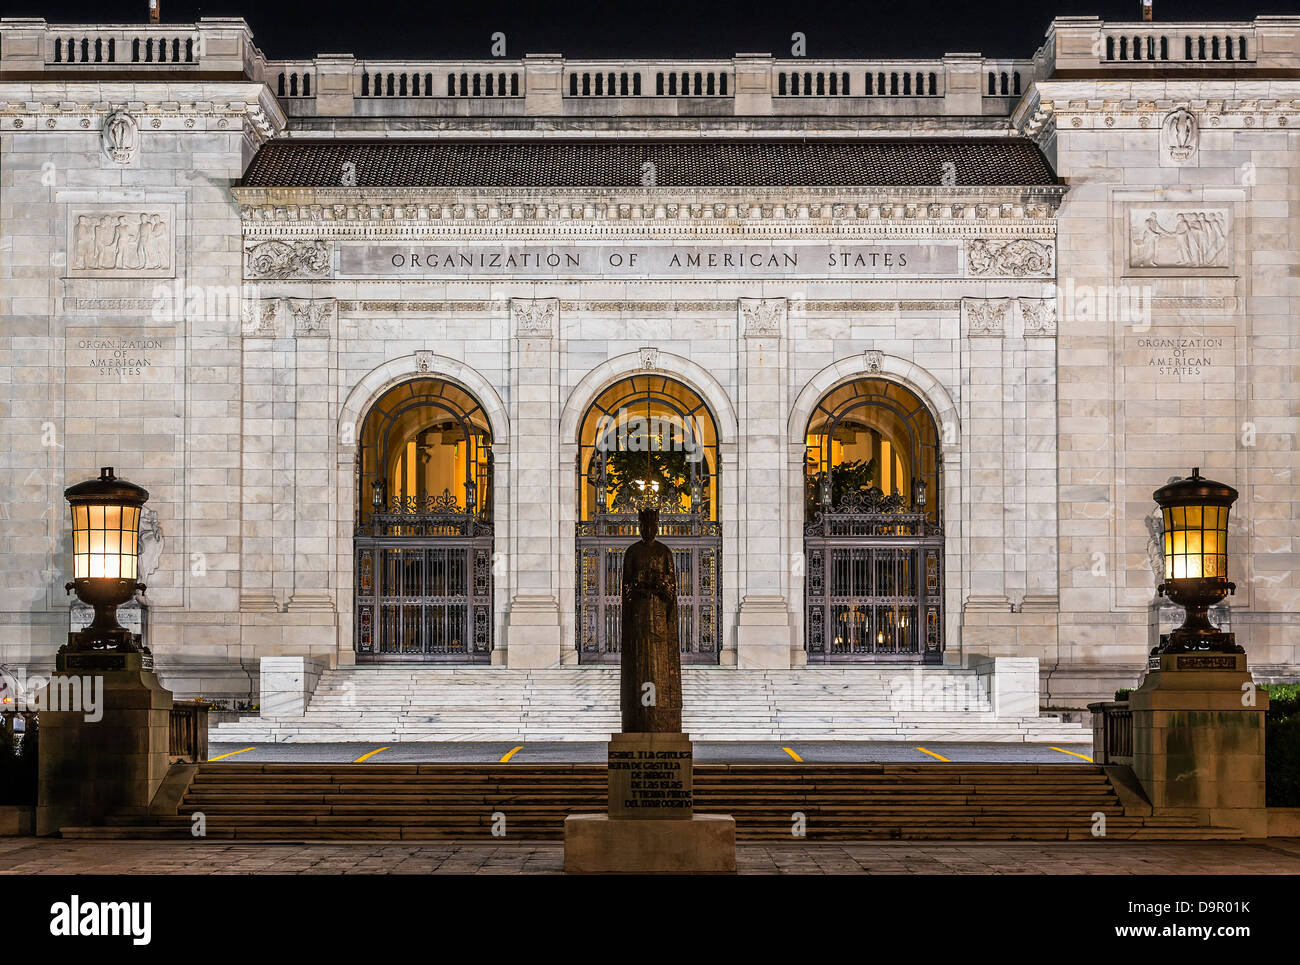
<point>106,719</point>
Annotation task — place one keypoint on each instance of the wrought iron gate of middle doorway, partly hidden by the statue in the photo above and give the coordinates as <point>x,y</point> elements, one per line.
<point>696,547</point>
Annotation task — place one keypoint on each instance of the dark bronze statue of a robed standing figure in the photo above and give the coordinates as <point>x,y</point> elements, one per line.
<point>652,650</point>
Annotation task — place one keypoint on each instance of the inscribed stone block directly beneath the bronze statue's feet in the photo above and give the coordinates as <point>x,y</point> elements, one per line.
<point>651,776</point>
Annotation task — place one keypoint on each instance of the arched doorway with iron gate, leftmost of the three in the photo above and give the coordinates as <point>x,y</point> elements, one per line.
<point>424,536</point>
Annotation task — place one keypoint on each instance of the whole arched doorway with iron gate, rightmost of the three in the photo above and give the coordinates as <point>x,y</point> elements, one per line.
<point>873,536</point>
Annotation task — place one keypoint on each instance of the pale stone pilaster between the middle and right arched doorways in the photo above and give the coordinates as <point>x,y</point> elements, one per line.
<point>764,634</point>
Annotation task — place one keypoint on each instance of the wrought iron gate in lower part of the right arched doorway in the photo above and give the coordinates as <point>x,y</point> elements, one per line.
<point>873,585</point>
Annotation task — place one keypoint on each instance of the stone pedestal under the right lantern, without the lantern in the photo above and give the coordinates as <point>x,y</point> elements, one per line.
<point>1199,741</point>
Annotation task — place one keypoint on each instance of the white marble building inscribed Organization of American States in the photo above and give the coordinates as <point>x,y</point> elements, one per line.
<point>902,348</point>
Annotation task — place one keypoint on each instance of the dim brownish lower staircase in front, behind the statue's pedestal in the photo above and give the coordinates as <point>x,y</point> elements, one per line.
<point>411,803</point>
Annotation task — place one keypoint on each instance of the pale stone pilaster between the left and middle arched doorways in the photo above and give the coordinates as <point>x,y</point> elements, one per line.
<point>534,635</point>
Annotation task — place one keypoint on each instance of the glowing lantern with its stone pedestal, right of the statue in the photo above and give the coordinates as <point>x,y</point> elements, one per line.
<point>1198,716</point>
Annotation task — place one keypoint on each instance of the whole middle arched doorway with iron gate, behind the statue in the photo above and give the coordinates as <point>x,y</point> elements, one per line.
<point>648,440</point>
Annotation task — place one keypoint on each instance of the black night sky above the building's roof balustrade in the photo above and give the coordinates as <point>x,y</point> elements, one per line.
<point>437,29</point>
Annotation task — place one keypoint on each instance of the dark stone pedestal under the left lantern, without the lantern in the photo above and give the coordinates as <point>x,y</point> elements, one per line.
<point>105,732</point>
